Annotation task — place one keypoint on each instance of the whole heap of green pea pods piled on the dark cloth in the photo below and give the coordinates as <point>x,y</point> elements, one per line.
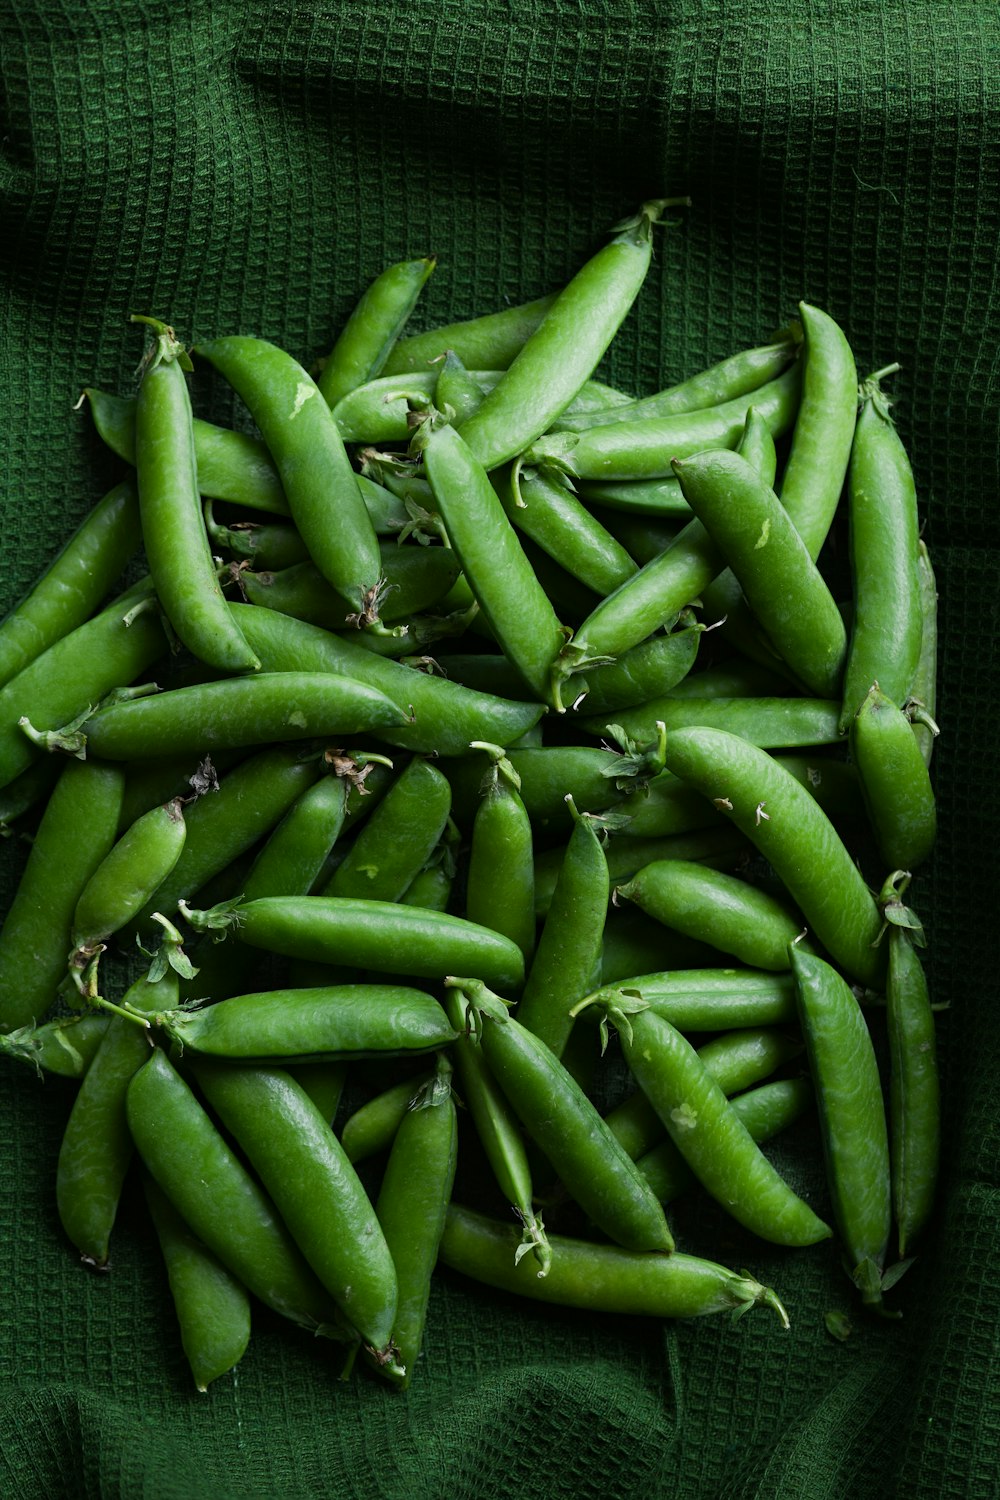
<point>467,718</point>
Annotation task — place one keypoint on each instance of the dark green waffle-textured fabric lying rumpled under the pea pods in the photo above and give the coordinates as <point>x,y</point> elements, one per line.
<point>248,166</point>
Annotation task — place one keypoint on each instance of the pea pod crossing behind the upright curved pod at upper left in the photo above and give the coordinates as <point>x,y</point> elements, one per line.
<point>232,466</point>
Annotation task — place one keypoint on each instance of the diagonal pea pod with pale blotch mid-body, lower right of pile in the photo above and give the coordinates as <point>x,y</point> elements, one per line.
<point>710,1135</point>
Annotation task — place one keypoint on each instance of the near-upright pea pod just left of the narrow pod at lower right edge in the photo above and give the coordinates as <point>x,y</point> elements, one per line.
<point>852,1117</point>
